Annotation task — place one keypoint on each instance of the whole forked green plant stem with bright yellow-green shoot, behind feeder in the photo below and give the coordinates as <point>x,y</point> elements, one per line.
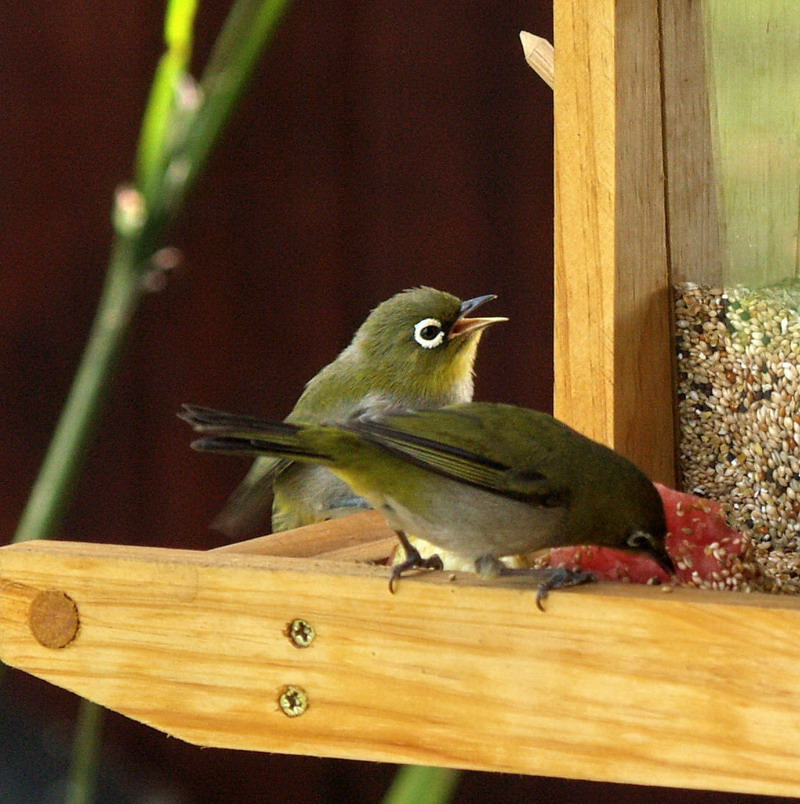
<point>166,171</point>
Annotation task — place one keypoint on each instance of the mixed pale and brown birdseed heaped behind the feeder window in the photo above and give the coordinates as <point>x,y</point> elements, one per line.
<point>738,361</point>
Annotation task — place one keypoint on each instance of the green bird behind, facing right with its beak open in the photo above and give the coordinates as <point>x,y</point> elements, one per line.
<point>415,350</point>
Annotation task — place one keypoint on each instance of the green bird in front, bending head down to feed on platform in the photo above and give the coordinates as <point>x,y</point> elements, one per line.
<point>483,480</point>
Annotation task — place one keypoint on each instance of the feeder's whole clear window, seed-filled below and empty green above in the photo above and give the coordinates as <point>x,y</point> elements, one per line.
<point>738,338</point>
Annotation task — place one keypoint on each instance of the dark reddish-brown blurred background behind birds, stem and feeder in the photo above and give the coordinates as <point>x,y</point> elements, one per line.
<point>381,145</point>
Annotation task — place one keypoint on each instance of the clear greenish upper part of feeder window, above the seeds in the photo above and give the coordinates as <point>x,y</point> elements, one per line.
<point>753,49</point>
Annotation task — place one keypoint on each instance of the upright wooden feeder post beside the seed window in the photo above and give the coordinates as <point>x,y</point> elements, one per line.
<point>612,286</point>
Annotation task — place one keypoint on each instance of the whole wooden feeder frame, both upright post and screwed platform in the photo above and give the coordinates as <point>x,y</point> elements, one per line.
<point>293,644</point>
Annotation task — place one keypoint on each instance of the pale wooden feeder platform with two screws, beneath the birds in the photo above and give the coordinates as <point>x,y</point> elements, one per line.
<point>311,654</point>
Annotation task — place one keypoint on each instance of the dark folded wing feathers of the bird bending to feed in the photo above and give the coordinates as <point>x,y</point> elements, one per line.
<point>462,465</point>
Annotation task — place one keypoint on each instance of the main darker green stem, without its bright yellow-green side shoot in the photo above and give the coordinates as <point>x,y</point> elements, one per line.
<point>249,25</point>
